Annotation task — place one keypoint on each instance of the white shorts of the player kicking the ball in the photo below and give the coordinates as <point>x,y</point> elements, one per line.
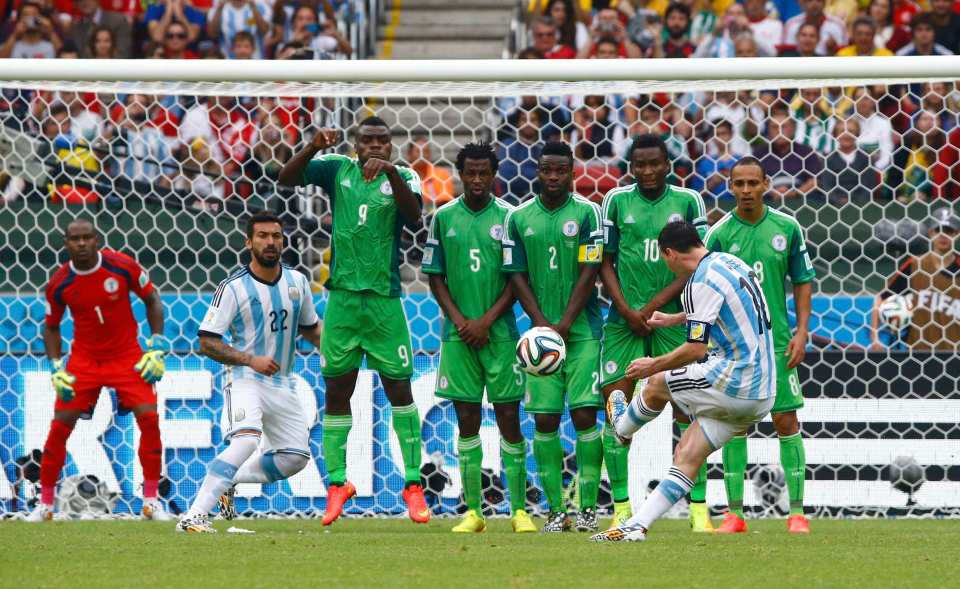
<point>720,416</point>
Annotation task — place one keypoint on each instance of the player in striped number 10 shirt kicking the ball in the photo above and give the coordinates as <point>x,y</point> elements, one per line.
<point>725,392</point>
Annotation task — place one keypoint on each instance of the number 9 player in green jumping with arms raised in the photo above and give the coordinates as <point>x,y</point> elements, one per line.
<point>372,199</point>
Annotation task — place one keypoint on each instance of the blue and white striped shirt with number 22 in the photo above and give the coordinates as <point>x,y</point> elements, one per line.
<point>262,318</point>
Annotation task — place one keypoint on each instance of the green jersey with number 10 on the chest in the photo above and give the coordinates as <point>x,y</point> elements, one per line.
<point>631,226</point>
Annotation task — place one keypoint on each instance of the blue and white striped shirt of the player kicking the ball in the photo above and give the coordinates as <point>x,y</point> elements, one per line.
<point>725,306</point>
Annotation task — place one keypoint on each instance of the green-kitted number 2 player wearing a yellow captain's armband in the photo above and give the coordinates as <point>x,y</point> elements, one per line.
<point>552,246</point>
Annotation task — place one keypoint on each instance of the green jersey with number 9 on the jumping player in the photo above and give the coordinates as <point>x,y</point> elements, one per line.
<point>365,240</point>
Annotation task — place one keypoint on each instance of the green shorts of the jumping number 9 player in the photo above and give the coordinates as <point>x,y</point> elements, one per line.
<point>358,323</point>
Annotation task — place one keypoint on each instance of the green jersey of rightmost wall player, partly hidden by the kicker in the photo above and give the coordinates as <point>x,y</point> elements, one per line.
<point>775,248</point>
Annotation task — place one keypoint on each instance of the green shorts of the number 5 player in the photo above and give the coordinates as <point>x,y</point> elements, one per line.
<point>464,372</point>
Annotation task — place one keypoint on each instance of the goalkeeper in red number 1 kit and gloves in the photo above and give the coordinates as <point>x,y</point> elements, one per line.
<point>95,284</point>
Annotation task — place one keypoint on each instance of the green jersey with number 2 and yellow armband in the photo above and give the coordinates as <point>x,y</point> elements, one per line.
<point>550,246</point>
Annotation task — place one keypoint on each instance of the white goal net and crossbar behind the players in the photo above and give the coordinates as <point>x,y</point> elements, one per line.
<point>168,171</point>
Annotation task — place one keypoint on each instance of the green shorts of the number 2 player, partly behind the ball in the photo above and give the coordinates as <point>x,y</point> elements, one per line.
<point>579,379</point>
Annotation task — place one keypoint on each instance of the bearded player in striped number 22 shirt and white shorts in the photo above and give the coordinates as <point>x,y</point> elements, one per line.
<point>261,307</point>
